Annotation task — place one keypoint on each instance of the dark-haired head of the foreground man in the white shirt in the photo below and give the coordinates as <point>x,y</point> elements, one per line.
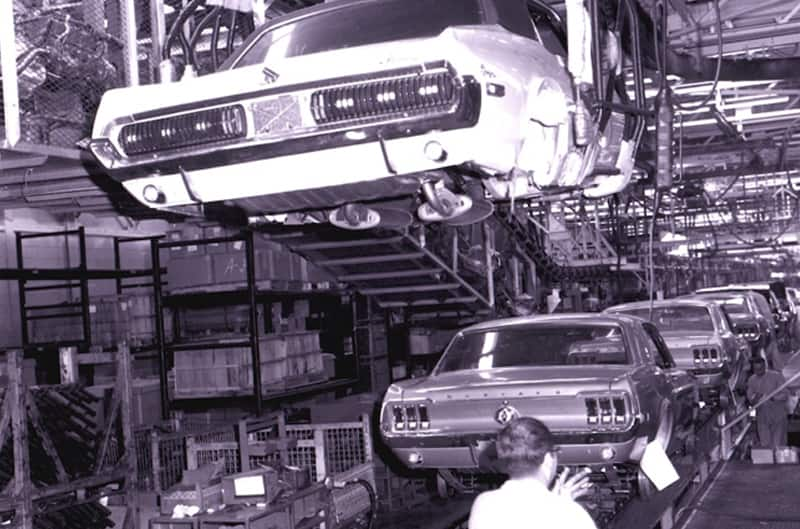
<point>526,447</point>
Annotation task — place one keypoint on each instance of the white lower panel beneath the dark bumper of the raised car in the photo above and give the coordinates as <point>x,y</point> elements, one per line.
<point>329,168</point>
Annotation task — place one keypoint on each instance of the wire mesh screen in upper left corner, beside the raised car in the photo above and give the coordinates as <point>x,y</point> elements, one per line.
<point>67,53</point>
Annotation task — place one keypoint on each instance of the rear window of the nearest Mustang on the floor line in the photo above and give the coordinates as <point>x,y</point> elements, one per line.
<point>535,345</point>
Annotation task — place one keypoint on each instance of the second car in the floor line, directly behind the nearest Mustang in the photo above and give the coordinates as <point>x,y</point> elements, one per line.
<point>701,338</point>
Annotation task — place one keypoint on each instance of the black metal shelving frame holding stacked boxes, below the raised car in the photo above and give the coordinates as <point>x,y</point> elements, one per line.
<point>252,293</point>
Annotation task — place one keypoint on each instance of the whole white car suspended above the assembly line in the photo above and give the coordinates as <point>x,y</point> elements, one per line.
<point>326,111</point>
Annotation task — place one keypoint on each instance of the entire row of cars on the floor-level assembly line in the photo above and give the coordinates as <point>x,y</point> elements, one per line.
<point>606,384</point>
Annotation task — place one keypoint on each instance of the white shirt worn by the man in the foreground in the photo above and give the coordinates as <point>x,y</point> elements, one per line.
<point>527,504</point>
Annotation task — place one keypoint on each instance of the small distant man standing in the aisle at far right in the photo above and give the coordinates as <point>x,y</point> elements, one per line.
<point>771,417</point>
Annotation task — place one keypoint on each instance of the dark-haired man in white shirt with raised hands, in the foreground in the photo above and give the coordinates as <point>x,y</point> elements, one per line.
<point>527,449</point>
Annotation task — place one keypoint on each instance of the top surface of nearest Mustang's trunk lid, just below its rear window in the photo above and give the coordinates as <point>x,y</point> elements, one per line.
<point>516,381</point>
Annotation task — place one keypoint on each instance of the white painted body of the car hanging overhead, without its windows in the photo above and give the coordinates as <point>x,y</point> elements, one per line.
<point>523,122</point>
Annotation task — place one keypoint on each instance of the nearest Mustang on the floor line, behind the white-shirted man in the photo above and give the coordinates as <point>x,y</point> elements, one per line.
<point>606,386</point>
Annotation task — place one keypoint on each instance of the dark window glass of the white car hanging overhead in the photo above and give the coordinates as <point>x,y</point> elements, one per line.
<point>358,24</point>
